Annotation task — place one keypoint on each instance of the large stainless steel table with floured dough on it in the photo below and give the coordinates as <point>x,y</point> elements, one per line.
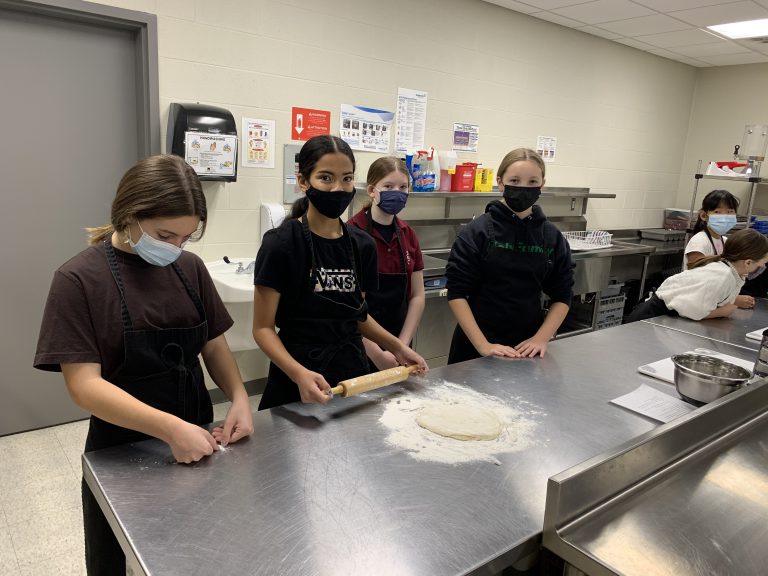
<point>316,490</point>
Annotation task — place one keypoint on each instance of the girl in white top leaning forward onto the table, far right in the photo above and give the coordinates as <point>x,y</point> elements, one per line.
<point>708,289</point>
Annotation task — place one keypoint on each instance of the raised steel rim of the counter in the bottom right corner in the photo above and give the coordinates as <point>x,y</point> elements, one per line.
<point>577,494</point>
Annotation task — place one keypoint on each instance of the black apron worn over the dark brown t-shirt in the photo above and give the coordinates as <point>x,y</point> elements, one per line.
<point>161,368</point>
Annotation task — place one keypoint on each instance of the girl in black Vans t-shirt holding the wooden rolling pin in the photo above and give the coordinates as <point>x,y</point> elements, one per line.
<point>310,277</point>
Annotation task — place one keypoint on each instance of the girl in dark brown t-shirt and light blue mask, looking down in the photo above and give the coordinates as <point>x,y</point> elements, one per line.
<point>152,383</point>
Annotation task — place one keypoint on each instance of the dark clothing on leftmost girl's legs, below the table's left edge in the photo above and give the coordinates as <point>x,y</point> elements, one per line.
<point>103,555</point>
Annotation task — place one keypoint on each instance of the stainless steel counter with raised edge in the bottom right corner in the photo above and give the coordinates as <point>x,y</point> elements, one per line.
<point>687,499</point>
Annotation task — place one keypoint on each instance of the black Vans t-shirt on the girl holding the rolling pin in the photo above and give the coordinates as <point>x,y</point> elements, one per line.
<point>283,264</point>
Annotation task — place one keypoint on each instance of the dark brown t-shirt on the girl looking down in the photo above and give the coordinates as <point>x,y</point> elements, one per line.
<point>83,322</point>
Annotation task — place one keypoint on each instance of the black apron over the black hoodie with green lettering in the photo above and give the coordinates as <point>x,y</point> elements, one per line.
<point>504,274</point>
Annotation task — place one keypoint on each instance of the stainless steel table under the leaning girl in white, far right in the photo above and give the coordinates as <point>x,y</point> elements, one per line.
<point>730,330</point>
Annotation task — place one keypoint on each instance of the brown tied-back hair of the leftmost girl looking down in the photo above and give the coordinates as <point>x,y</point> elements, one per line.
<point>162,186</point>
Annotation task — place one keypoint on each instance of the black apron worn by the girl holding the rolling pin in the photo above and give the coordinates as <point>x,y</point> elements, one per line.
<point>321,334</point>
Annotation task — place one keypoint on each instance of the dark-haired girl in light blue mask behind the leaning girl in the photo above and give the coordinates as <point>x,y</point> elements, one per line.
<point>717,217</point>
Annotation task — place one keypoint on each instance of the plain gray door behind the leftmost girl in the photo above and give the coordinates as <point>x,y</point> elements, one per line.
<point>71,126</point>
